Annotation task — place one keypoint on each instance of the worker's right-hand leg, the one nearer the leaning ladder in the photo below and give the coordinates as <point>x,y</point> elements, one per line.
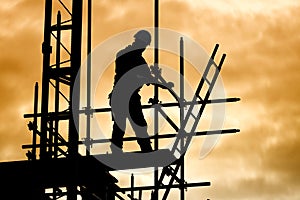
<point>139,123</point>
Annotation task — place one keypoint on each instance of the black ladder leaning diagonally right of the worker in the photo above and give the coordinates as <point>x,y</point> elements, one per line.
<point>186,132</point>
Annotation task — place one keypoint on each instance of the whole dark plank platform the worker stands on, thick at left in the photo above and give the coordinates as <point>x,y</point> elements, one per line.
<point>28,179</point>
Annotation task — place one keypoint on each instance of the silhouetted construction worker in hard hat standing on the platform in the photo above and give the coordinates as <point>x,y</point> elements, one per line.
<point>130,61</point>
